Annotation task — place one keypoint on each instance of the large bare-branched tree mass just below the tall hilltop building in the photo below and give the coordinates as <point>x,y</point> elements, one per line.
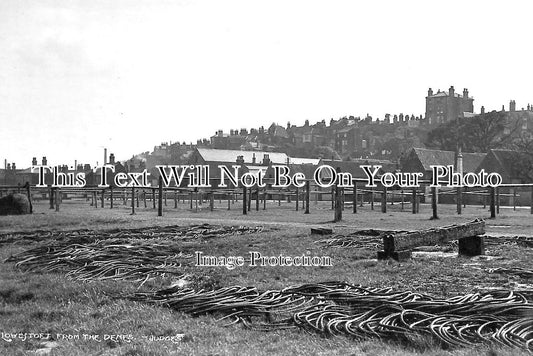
<point>475,134</point>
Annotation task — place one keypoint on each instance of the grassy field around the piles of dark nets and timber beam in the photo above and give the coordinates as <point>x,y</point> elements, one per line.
<point>52,303</point>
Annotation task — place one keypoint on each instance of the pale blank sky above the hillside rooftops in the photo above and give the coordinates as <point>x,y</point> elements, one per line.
<point>79,76</point>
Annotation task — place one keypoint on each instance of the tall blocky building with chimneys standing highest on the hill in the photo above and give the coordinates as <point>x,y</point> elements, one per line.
<point>444,106</point>
